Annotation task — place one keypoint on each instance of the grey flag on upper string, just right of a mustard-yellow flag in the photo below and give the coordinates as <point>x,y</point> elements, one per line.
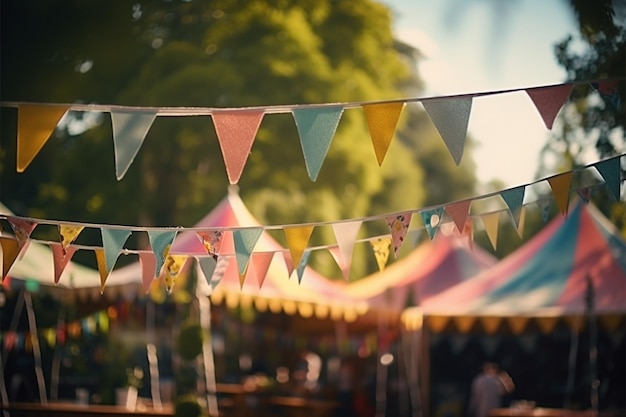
<point>451,118</point>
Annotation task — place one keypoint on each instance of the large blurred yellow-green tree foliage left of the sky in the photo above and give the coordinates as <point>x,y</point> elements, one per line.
<point>221,53</point>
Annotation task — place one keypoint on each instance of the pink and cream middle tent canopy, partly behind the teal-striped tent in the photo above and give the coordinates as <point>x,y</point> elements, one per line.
<point>434,266</point>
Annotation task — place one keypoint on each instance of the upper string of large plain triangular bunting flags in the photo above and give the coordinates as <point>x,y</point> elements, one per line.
<point>236,128</point>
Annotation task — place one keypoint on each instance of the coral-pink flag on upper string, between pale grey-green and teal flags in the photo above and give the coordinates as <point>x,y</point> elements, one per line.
<point>236,131</point>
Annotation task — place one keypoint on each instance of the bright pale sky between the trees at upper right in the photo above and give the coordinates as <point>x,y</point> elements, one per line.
<point>489,45</point>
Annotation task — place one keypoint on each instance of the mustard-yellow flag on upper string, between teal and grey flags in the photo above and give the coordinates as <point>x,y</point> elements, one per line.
<point>382,119</point>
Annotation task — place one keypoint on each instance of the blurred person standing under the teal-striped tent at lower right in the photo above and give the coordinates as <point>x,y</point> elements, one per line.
<point>487,390</point>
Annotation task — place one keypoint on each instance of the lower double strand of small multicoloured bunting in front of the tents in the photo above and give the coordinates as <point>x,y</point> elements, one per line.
<point>455,216</point>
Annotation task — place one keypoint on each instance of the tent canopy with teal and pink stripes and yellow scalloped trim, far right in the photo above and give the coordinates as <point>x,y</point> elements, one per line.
<point>546,279</point>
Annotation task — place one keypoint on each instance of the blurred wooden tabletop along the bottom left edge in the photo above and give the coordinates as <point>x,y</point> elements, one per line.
<point>60,409</point>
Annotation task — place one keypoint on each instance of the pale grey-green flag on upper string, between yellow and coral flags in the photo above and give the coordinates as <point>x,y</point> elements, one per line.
<point>129,131</point>
